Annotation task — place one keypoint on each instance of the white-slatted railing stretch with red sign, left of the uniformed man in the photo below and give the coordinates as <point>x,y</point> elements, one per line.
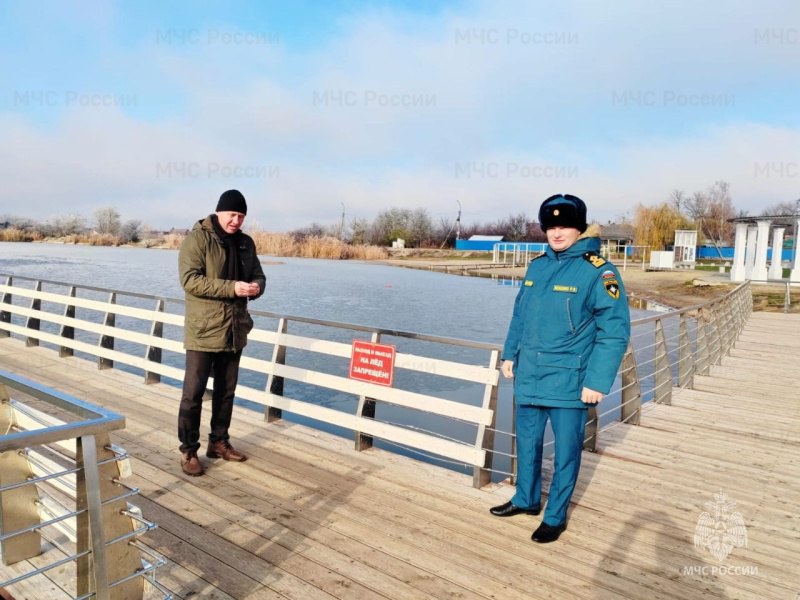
<point>295,365</point>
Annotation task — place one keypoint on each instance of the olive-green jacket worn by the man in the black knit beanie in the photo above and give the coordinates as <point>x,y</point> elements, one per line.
<point>216,320</point>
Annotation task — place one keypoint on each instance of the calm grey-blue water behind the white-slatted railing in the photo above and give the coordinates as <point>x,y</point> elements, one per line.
<point>363,293</point>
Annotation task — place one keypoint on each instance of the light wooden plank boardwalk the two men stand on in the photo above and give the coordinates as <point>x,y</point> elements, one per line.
<point>308,517</point>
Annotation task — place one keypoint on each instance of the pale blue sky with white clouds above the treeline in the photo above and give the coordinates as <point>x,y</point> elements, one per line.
<point>155,107</point>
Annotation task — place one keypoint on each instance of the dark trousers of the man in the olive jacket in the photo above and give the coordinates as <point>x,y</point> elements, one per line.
<point>199,365</point>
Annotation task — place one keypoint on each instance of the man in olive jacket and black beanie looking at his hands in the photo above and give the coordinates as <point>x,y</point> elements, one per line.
<point>219,271</point>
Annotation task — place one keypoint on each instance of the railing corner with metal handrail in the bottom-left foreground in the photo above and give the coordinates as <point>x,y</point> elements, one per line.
<point>61,484</point>
